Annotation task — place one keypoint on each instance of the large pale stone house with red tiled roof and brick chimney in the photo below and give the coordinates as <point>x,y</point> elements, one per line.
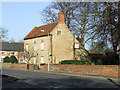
<point>54,39</point>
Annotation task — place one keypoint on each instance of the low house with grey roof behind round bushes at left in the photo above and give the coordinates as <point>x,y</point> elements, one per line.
<point>11,48</point>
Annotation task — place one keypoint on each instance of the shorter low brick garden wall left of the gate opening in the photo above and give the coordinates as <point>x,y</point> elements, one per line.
<point>17,66</point>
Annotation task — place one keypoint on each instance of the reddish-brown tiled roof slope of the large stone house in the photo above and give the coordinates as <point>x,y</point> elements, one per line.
<point>36,31</point>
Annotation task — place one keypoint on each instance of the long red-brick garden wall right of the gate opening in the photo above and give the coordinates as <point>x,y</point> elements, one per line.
<point>101,70</point>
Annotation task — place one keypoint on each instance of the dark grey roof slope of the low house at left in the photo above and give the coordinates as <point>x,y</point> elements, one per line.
<point>13,46</point>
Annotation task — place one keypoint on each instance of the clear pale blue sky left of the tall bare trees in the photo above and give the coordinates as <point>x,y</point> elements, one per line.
<point>19,18</point>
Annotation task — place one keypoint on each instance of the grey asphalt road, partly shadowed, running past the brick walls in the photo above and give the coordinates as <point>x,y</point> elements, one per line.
<point>35,79</point>
